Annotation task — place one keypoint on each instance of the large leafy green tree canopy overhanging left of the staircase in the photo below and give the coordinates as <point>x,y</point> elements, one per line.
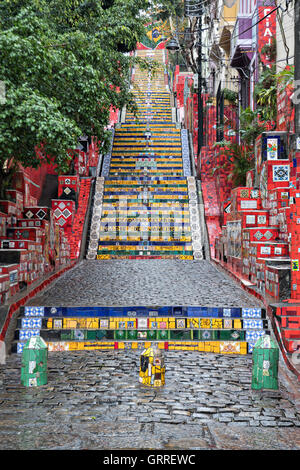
<point>63,66</point>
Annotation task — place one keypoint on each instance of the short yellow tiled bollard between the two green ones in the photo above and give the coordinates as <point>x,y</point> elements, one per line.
<point>152,367</point>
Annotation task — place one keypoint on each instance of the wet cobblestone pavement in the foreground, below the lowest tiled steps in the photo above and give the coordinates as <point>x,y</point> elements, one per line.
<point>93,400</point>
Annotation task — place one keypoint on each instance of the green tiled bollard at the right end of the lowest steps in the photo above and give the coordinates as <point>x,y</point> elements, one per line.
<point>265,358</point>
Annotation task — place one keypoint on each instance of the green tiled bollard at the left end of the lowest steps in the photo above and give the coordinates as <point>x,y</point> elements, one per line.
<point>34,363</point>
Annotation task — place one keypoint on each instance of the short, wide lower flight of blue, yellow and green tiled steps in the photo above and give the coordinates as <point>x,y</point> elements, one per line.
<point>204,329</point>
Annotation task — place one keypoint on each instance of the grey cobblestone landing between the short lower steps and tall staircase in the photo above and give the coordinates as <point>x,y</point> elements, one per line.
<point>145,282</point>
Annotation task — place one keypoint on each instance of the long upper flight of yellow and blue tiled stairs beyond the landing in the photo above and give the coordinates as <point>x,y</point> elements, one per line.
<point>146,196</point>
